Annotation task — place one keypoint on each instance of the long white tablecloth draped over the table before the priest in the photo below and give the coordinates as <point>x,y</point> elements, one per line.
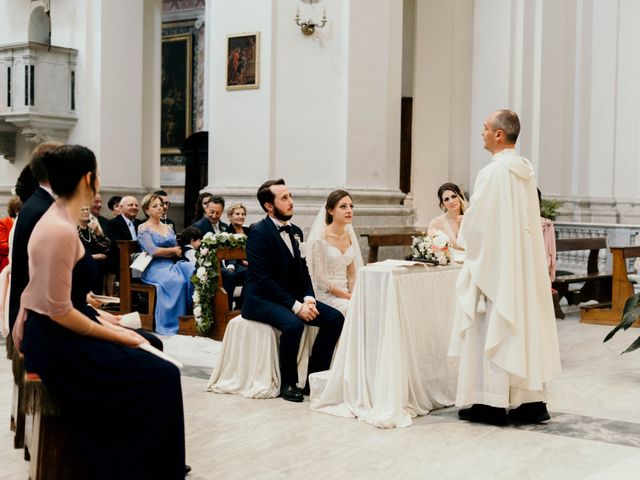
<point>391,364</point>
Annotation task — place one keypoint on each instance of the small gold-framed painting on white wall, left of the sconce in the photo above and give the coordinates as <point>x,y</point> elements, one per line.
<point>243,61</point>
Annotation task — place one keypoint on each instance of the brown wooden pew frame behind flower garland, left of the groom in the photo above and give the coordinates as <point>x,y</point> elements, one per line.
<point>220,300</point>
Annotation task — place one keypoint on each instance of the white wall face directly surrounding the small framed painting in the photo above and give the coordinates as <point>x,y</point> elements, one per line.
<point>240,120</point>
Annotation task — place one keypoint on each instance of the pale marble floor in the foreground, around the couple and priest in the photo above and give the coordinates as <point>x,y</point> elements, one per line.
<point>594,432</point>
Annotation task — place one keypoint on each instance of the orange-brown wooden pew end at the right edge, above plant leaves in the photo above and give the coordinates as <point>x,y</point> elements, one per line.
<point>622,289</point>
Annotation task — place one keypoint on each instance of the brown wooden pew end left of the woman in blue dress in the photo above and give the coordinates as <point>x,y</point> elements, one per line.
<point>128,285</point>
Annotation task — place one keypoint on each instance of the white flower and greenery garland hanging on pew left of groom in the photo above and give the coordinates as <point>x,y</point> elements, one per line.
<point>205,278</point>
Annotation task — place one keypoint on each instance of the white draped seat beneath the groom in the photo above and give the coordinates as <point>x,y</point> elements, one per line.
<point>248,363</point>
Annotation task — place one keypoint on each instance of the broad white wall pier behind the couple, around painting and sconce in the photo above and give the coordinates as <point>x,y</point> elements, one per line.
<point>327,113</point>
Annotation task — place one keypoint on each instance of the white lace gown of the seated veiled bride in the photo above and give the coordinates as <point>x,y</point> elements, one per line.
<point>329,269</point>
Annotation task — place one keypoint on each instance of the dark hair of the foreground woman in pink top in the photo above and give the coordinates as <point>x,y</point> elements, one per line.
<point>66,165</point>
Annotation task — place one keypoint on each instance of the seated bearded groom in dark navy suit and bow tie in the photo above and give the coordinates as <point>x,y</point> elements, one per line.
<point>278,289</point>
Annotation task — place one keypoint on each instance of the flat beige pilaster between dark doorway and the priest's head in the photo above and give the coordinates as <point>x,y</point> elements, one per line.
<point>441,102</point>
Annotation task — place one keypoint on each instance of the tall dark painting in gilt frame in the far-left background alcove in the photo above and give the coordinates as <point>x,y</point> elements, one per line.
<point>175,124</point>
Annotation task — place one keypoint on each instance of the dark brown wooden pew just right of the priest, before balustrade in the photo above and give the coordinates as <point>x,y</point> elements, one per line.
<point>597,285</point>
